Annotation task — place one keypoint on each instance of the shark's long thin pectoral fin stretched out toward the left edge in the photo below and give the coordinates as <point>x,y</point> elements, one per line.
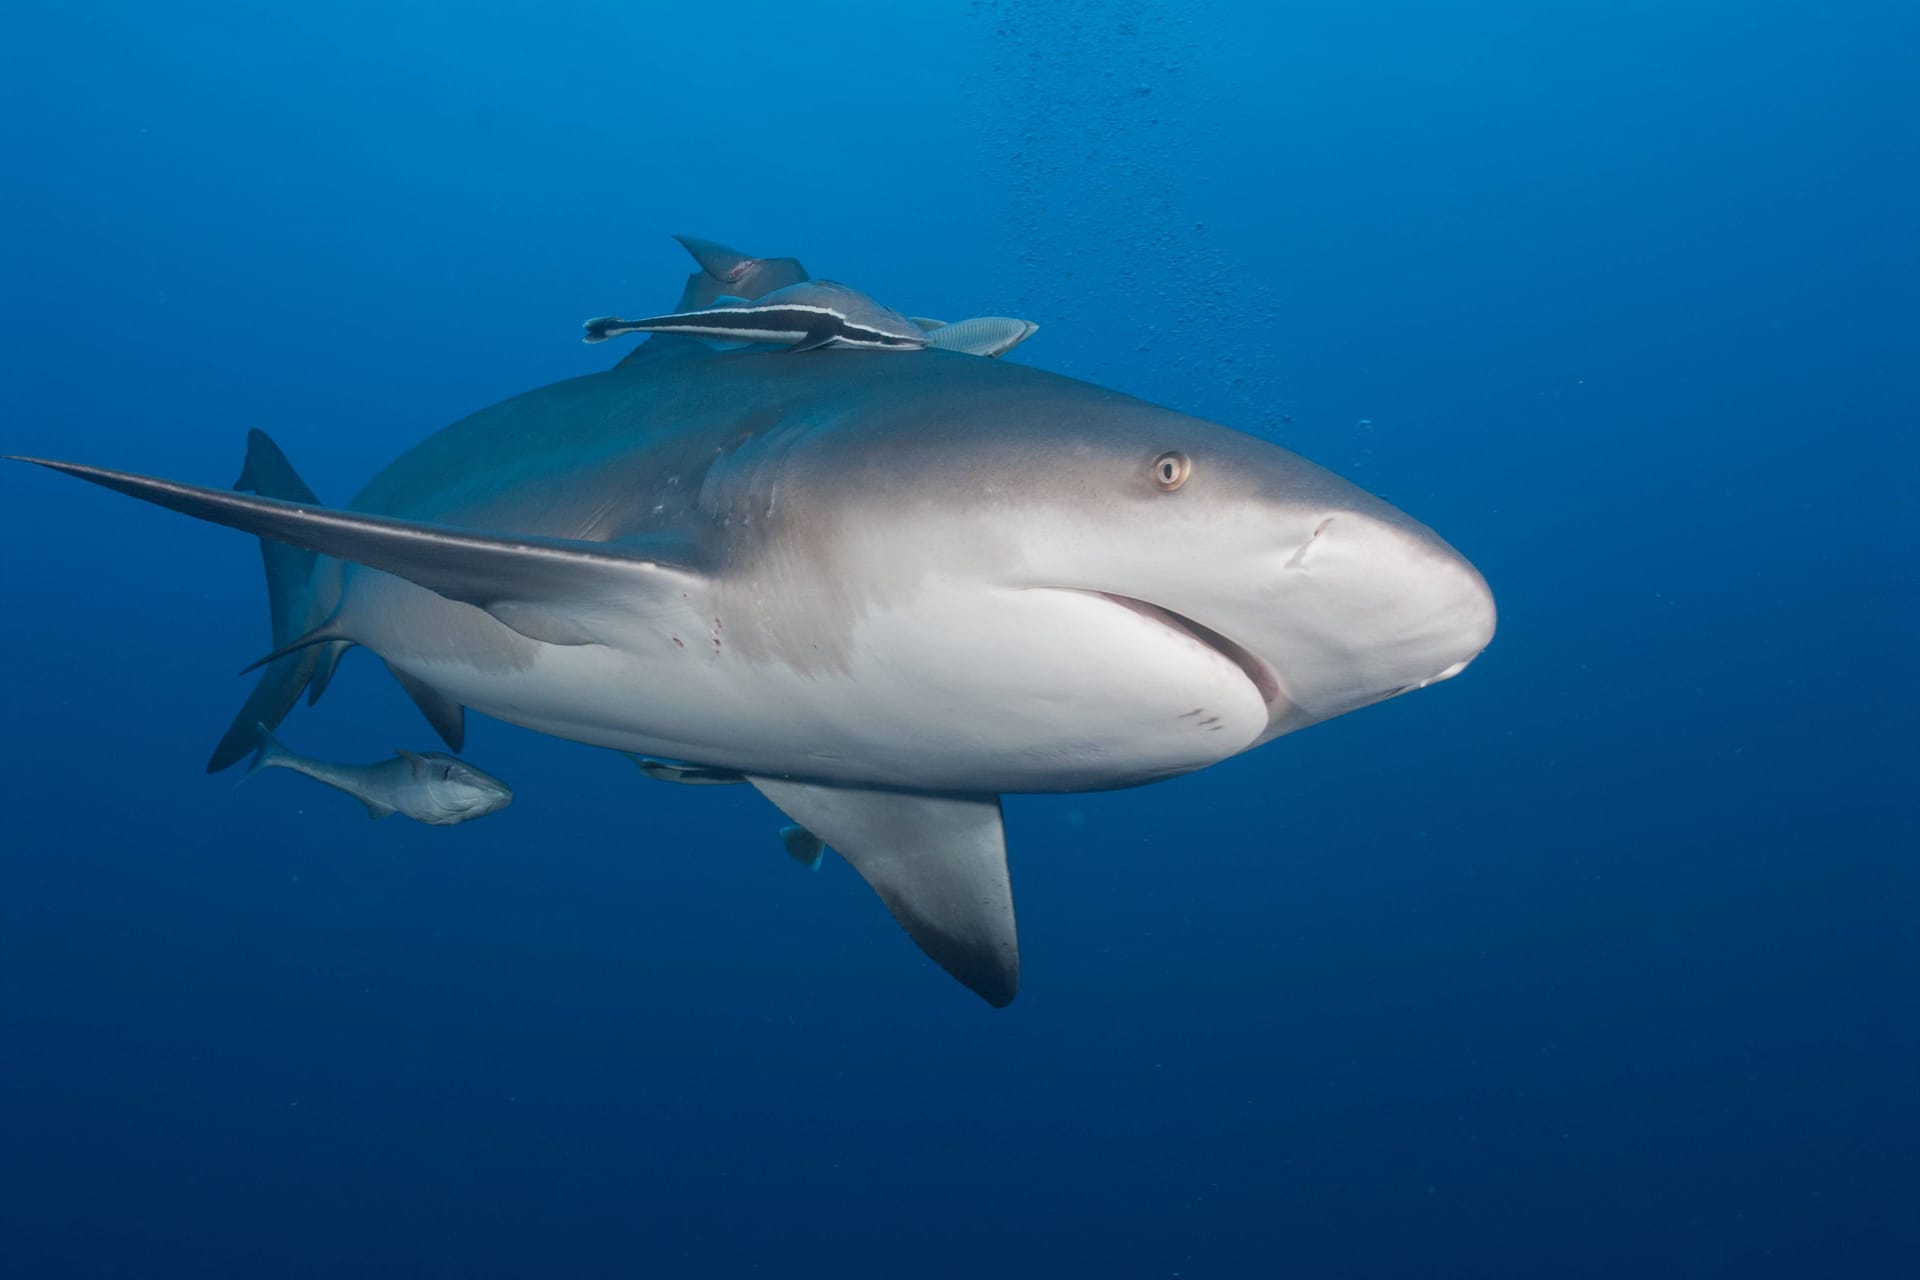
<point>554,590</point>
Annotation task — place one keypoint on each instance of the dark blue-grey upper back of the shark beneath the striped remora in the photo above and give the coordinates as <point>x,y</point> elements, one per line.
<point>625,452</point>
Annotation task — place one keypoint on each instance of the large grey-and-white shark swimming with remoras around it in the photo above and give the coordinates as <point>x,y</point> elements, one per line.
<point>882,588</point>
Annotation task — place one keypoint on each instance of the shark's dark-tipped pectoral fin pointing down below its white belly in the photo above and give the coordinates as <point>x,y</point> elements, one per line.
<point>936,861</point>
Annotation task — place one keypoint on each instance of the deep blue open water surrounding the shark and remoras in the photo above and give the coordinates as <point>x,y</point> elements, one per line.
<point>1595,962</point>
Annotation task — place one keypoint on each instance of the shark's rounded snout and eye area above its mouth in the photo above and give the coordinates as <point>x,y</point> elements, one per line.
<point>1326,596</point>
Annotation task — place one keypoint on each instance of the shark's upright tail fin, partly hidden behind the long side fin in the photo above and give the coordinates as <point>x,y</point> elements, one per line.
<point>302,590</point>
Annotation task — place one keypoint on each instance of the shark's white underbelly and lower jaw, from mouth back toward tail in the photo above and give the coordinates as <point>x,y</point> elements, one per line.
<point>990,692</point>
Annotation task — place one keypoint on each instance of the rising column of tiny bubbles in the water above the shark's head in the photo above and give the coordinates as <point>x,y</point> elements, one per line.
<point>1092,112</point>
